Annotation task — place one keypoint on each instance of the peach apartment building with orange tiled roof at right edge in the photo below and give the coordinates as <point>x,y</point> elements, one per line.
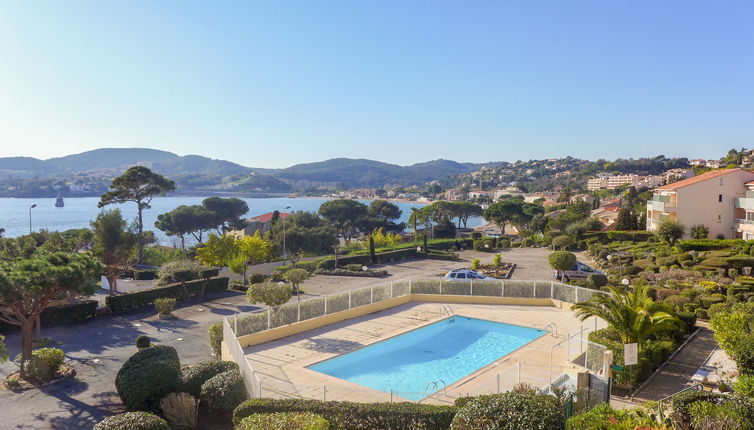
<point>722,200</point>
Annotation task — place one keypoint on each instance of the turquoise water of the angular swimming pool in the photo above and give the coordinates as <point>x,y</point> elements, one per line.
<point>449,350</point>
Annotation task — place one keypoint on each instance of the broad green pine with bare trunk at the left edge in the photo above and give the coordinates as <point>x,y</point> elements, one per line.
<point>28,286</point>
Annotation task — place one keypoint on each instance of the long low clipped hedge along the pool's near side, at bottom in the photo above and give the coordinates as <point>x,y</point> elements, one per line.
<point>357,416</point>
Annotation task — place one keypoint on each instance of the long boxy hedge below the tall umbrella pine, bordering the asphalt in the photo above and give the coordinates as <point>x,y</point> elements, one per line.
<point>143,298</point>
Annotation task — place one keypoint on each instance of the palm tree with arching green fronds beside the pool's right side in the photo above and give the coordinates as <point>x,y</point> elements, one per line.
<point>633,314</point>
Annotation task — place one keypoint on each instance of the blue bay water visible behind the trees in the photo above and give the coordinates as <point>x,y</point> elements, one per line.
<point>78,212</point>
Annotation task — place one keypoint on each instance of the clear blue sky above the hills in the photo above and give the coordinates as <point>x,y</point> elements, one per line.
<point>272,84</point>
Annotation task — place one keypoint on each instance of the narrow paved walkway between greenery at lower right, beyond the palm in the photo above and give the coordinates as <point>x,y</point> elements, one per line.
<point>676,374</point>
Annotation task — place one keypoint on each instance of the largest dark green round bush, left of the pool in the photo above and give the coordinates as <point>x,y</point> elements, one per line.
<point>147,377</point>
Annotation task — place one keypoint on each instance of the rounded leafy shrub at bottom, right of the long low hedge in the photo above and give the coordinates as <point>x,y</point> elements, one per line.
<point>510,411</point>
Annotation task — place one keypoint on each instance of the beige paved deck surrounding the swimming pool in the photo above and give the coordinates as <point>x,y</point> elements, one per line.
<point>281,364</point>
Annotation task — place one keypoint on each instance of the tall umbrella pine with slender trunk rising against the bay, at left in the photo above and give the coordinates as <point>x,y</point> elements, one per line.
<point>139,185</point>
